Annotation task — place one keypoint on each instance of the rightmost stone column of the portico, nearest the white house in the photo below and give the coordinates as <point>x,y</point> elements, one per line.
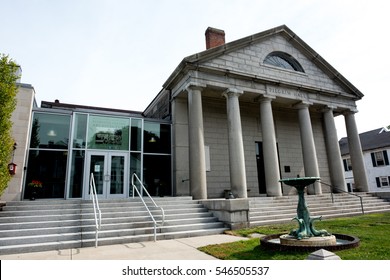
<point>355,151</point>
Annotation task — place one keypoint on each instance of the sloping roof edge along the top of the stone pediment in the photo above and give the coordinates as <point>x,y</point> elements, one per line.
<point>192,61</point>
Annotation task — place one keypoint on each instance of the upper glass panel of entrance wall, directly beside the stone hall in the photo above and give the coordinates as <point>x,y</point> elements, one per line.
<point>157,138</point>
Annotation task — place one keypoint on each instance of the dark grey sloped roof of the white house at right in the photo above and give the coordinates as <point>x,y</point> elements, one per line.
<point>370,140</point>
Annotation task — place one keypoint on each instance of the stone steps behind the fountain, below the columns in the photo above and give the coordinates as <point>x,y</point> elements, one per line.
<point>269,210</point>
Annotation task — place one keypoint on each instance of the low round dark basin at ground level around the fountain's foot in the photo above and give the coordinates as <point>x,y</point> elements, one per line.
<point>343,241</point>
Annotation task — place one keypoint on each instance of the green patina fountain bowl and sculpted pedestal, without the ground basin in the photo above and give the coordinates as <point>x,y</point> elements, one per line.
<point>306,228</point>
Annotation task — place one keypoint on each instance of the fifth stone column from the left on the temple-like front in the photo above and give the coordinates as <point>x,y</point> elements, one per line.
<point>336,170</point>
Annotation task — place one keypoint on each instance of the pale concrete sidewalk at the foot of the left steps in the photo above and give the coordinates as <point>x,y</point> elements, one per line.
<point>174,249</point>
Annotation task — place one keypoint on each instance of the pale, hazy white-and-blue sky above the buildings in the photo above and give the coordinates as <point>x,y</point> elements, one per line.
<point>118,53</point>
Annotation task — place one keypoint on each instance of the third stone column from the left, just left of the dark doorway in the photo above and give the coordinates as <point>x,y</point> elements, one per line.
<point>270,152</point>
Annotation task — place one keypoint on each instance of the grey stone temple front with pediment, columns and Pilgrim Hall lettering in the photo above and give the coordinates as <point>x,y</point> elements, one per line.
<point>291,113</point>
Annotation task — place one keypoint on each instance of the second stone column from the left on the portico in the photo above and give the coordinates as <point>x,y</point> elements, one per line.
<point>236,145</point>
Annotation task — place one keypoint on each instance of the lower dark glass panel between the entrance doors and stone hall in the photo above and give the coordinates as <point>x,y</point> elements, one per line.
<point>157,174</point>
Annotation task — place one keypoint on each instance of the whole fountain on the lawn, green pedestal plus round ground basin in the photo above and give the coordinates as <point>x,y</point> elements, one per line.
<point>306,237</point>
